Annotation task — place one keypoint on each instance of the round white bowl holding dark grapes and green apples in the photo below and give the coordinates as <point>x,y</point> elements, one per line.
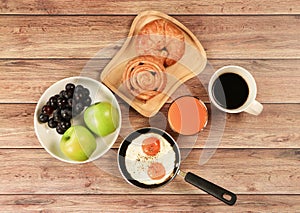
<point>50,139</point>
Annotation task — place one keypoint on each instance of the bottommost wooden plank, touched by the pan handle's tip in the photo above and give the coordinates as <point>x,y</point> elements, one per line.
<point>147,203</point>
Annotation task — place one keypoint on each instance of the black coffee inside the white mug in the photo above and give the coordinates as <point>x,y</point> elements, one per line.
<point>230,90</point>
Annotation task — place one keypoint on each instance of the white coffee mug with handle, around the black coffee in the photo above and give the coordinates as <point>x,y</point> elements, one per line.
<point>250,105</point>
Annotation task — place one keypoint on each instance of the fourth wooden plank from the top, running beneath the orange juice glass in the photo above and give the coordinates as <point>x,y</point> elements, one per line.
<point>277,127</point>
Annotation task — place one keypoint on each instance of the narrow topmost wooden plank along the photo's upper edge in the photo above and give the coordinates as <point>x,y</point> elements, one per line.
<point>193,7</point>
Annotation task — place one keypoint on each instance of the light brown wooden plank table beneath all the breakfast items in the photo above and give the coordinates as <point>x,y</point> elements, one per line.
<point>258,157</point>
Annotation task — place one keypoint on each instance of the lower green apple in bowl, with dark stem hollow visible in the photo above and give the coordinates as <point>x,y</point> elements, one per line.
<point>78,143</point>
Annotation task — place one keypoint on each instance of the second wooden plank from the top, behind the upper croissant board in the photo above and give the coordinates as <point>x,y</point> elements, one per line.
<point>264,37</point>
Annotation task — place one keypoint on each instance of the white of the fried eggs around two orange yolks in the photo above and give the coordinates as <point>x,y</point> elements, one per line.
<point>137,162</point>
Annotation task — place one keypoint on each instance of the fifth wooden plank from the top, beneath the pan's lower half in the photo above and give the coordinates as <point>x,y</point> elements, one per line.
<point>243,171</point>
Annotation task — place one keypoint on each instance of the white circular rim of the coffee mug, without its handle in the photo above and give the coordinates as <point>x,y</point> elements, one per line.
<point>249,80</point>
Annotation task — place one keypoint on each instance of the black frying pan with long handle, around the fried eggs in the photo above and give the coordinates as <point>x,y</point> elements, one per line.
<point>209,187</point>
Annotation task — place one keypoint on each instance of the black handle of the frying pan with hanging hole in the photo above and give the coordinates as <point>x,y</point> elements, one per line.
<point>211,188</point>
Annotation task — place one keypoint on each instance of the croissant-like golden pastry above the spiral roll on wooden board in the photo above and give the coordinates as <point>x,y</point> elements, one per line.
<point>162,39</point>
